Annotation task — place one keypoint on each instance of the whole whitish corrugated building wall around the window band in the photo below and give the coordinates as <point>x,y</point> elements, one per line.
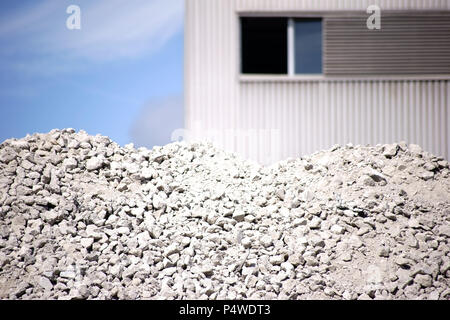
<point>272,118</point>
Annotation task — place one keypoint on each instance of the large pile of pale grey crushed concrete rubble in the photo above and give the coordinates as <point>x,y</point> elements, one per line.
<point>83,218</point>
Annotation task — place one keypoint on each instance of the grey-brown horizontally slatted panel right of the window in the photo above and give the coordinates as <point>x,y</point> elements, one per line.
<point>405,44</point>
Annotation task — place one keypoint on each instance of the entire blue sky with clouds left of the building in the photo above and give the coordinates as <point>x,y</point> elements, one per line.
<point>120,75</point>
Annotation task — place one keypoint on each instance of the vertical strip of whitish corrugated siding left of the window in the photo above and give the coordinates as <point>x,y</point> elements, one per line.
<point>211,67</point>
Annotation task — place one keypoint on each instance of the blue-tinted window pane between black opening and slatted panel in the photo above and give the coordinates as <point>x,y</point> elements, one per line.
<point>308,45</point>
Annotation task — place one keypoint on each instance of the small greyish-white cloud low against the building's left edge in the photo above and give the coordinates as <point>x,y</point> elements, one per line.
<point>156,122</point>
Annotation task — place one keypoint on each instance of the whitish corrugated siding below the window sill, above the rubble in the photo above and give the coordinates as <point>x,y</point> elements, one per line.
<point>311,116</point>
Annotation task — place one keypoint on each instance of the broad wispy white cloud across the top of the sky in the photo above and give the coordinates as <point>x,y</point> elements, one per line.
<point>110,29</point>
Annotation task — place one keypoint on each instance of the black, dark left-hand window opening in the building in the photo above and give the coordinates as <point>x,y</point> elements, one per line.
<point>264,45</point>
